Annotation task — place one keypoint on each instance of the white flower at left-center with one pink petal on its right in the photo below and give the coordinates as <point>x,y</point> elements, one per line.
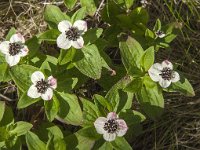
<point>42,87</point>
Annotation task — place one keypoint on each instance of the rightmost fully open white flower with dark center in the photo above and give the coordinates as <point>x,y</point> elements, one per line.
<point>163,73</point>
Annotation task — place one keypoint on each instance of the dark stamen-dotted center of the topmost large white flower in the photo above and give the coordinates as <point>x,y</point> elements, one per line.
<point>73,34</point>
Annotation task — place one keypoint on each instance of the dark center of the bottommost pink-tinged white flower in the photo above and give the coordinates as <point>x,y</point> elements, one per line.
<point>111,126</point>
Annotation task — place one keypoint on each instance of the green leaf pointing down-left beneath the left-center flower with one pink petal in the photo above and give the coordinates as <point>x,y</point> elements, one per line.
<point>26,101</point>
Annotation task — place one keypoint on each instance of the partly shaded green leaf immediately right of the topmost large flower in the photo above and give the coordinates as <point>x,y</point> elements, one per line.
<point>92,35</point>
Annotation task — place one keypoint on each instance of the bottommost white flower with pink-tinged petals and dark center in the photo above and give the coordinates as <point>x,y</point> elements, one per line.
<point>111,126</point>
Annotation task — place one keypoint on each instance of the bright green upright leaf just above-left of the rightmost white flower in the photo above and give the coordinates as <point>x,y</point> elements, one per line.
<point>147,59</point>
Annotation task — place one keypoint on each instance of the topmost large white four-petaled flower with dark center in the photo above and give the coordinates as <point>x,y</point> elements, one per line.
<point>71,34</point>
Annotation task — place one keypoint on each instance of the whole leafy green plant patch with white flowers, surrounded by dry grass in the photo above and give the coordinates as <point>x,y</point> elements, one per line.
<point>129,91</point>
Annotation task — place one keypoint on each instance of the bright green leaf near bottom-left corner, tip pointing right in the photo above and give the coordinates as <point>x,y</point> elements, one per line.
<point>21,128</point>
